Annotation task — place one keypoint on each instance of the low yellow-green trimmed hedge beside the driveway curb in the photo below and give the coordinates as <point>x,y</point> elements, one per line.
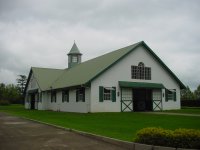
<point>179,138</point>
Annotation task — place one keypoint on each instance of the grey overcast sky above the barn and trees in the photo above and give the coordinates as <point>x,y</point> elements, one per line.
<point>41,32</point>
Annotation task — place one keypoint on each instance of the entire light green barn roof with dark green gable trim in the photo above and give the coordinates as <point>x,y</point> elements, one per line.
<point>85,72</point>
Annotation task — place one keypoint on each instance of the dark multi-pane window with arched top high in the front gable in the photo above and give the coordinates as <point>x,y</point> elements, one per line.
<point>141,72</point>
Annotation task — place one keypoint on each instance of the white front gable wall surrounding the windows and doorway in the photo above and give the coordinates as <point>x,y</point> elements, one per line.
<point>122,72</point>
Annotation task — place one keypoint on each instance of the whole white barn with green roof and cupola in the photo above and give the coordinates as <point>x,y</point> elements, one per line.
<point>132,78</point>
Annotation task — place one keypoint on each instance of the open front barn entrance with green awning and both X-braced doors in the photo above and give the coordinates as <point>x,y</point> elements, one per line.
<point>141,96</point>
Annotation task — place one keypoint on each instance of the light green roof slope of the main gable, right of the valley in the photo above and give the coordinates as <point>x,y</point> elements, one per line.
<point>84,72</point>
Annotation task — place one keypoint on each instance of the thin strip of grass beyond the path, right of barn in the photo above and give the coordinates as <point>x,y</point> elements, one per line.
<point>187,110</point>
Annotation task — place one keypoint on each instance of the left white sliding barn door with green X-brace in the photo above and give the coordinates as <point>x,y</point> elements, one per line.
<point>126,100</point>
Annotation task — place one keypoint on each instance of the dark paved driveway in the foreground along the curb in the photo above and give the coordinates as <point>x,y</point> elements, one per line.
<point>21,134</point>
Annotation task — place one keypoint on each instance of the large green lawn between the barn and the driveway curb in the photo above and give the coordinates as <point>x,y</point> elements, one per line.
<point>116,125</point>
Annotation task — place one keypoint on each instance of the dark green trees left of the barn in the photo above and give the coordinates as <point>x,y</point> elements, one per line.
<point>13,93</point>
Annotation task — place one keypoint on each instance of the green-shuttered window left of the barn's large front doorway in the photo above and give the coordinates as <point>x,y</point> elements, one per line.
<point>107,94</point>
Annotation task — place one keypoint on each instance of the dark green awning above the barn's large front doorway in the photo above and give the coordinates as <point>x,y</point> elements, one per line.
<point>141,85</point>
